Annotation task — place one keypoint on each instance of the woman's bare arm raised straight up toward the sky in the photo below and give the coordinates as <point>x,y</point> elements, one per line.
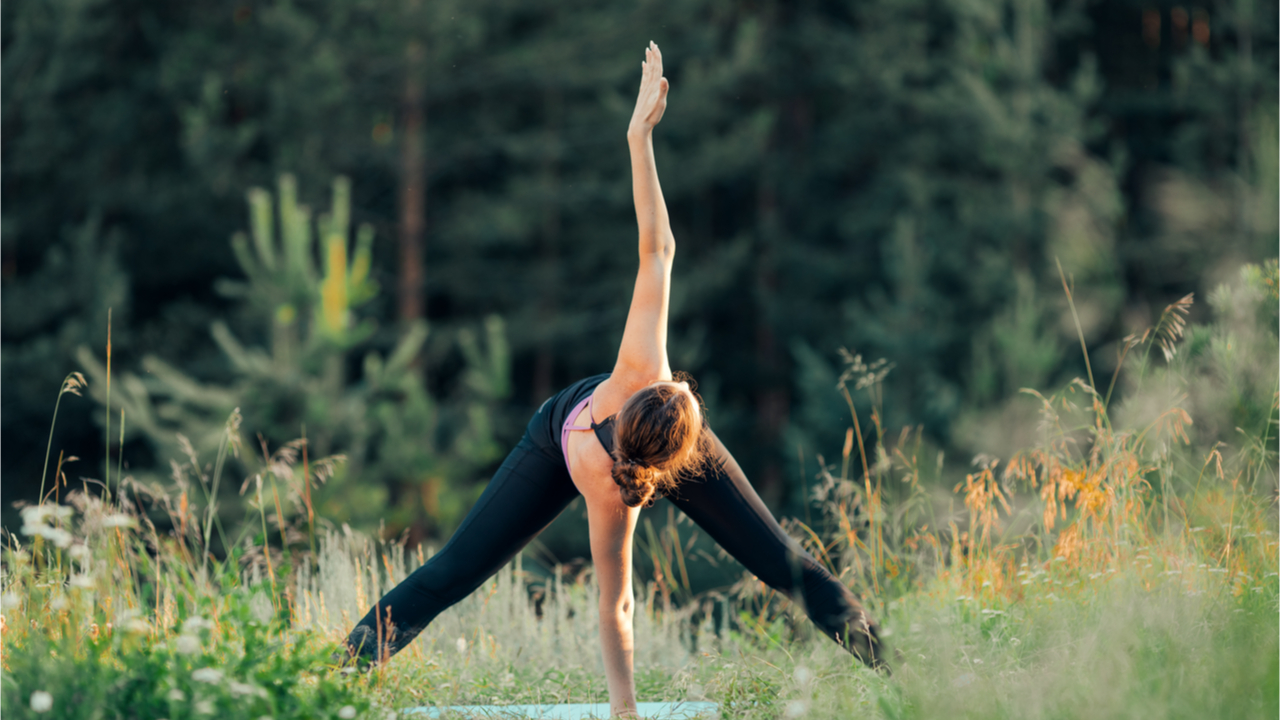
<point>643,356</point>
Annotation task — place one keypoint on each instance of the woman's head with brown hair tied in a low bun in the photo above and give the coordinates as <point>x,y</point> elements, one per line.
<point>659,435</point>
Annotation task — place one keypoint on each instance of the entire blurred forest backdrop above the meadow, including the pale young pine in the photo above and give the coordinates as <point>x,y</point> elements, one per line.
<point>444,233</point>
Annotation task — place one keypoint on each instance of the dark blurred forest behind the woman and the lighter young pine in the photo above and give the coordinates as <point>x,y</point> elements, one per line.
<point>895,177</point>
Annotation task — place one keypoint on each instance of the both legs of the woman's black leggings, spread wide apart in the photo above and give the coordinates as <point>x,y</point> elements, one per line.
<point>534,486</point>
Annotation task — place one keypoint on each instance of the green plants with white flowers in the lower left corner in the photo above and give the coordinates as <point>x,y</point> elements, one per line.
<point>94,655</point>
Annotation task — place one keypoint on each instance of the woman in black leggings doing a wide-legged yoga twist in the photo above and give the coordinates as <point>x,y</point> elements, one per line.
<point>619,440</point>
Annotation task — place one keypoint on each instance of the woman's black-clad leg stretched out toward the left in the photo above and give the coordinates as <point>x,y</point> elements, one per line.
<point>525,495</point>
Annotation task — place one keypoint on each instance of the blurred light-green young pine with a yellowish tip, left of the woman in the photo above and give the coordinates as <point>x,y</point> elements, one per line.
<point>304,286</point>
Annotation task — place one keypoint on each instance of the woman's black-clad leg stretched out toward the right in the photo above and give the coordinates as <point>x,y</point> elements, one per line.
<point>724,503</point>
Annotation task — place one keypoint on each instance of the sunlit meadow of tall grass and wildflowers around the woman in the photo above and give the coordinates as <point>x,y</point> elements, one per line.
<point>1123,567</point>
